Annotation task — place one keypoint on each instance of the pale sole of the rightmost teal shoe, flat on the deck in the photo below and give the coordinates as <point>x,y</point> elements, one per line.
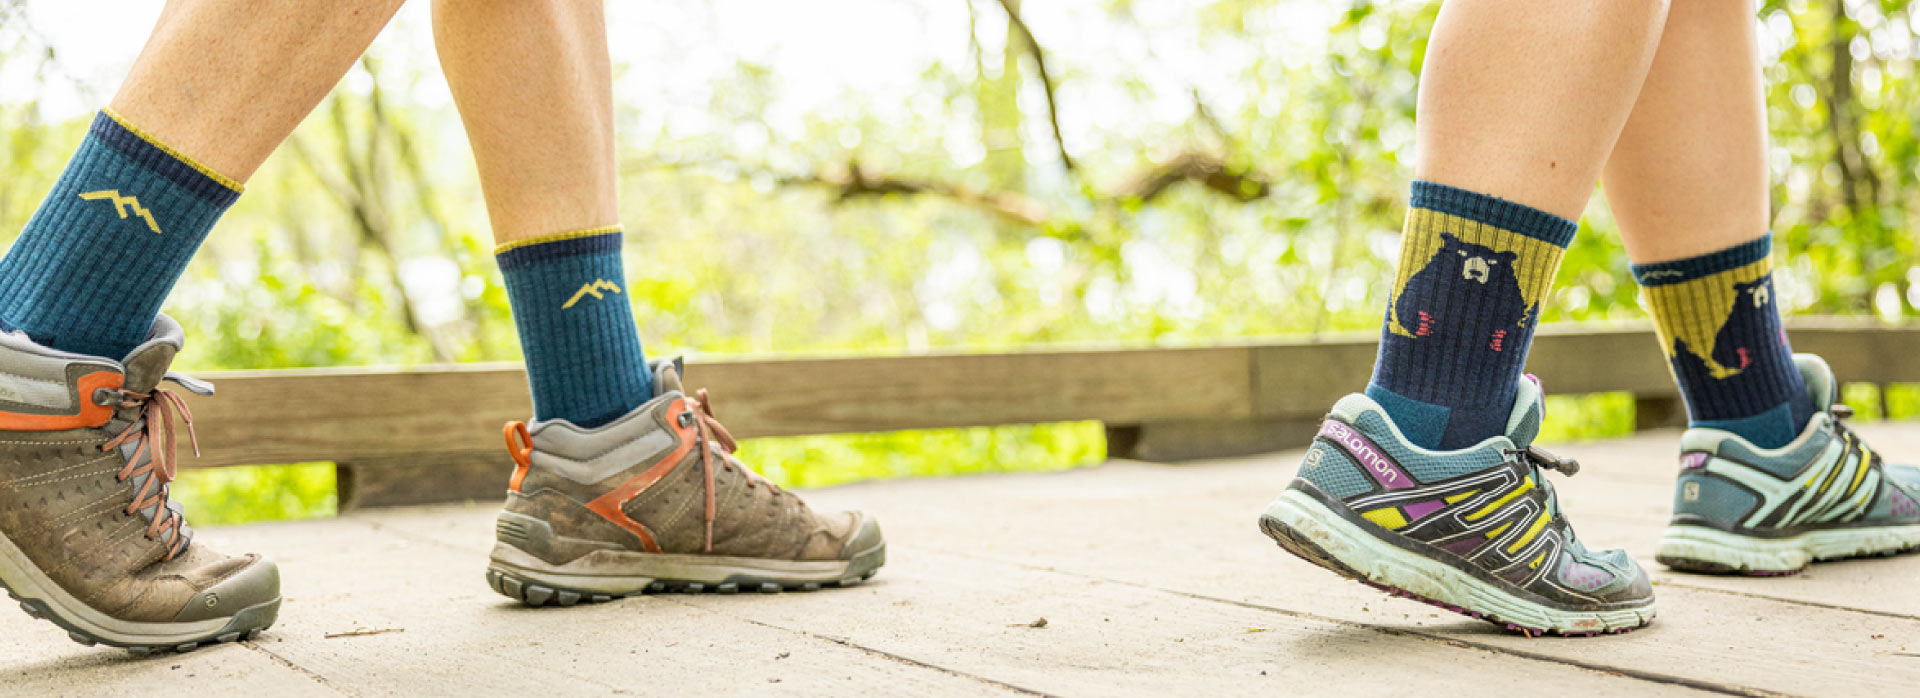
<point>1783,555</point>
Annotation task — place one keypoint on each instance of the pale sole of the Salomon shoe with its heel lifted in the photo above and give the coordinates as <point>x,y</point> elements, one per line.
<point>1393,567</point>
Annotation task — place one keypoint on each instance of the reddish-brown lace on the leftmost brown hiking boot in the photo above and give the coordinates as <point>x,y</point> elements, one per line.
<point>153,455</point>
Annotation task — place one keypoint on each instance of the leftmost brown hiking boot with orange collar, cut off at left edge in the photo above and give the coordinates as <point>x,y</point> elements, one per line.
<point>89,538</point>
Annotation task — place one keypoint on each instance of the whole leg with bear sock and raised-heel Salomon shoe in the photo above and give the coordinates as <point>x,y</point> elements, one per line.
<point>1520,106</point>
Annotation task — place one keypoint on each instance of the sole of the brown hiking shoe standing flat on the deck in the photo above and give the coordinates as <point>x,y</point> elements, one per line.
<point>623,572</point>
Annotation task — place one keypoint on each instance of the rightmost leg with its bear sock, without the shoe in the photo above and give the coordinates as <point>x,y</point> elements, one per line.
<point>1689,187</point>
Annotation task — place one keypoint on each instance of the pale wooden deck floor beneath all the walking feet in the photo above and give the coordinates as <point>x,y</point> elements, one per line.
<point>1118,580</point>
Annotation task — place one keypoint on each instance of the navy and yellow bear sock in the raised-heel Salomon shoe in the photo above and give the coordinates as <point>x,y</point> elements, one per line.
<point>1474,271</point>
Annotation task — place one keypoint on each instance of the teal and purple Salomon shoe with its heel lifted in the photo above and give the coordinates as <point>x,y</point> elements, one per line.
<point>1476,530</point>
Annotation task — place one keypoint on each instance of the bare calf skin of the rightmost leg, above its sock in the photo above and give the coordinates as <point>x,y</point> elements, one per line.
<point>1691,172</point>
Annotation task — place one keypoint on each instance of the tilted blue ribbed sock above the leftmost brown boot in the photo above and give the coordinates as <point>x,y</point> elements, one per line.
<point>99,258</point>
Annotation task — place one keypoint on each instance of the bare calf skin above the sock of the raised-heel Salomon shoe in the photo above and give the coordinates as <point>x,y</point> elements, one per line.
<point>1524,99</point>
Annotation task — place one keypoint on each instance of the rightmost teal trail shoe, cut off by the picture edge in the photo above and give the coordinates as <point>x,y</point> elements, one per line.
<point>1740,509</point>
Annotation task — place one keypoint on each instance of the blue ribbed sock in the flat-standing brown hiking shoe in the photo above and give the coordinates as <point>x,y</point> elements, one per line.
<point>583,350</point>
